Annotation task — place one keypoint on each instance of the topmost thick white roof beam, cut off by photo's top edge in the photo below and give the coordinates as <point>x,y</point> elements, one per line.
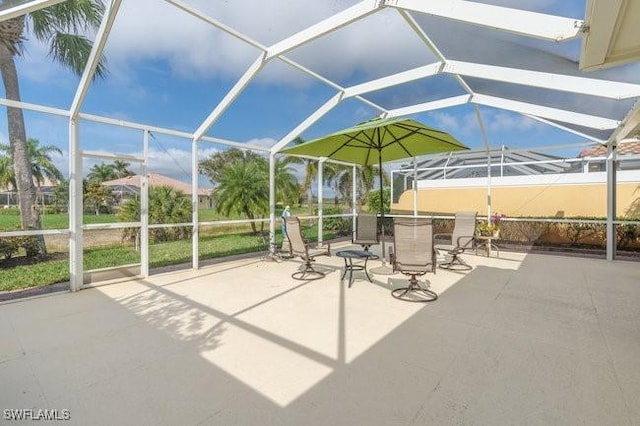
<point>522,22</point>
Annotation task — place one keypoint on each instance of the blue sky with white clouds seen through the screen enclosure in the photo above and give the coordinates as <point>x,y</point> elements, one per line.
<point>168,69</point>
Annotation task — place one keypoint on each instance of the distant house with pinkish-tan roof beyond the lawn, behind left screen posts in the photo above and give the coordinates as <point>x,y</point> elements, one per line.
<point>129,187</point>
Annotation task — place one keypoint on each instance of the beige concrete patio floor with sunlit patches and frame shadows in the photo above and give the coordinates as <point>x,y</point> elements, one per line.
<point>524,339</point>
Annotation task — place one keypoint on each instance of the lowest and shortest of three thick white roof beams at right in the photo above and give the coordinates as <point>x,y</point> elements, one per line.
<point>585,120</point>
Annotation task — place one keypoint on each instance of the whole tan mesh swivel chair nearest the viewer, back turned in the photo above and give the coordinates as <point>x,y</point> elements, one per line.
<point>413,255</point>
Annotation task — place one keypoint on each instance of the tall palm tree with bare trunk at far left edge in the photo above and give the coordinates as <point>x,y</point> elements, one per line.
<point>59,26</point>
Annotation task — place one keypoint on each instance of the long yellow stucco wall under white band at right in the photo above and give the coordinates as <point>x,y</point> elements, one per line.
<point>518,201</point>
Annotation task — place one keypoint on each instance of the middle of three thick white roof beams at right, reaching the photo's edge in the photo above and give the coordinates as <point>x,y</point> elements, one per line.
<point>565,83</point>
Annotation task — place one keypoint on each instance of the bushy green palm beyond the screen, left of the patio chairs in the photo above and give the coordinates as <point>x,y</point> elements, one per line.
<point>242,190</point>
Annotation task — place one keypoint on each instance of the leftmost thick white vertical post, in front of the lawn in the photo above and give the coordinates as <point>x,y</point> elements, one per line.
<point>76,268</point>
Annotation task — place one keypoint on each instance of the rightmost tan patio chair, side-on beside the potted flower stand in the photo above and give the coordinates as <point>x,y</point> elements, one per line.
<point>461,240</point>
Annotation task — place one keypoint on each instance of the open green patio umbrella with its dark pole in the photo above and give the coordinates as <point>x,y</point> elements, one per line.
<point>377,141</point>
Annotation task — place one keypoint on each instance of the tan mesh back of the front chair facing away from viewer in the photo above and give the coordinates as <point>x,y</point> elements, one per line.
<point>413,245</point>
